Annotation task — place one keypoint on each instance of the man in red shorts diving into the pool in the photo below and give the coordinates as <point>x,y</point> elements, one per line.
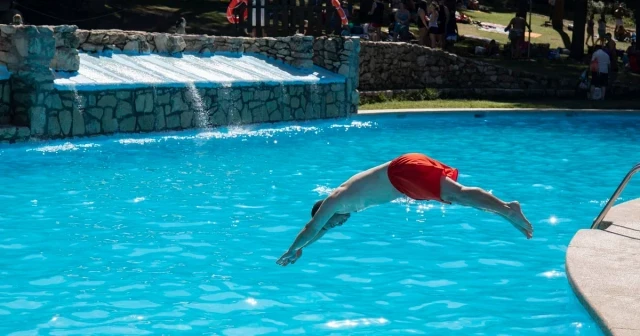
<point>413,175</point>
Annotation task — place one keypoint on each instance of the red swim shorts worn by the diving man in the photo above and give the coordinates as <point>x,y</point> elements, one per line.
<point>418,176</point>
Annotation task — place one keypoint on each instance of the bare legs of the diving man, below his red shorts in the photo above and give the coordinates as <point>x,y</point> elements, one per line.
<point>454,192</point>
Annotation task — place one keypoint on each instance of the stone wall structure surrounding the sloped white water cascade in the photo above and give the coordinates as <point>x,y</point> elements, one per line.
<point>41,111</point>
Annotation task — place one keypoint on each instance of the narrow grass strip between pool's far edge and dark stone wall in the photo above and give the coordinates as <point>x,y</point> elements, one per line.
<point>539,104</point>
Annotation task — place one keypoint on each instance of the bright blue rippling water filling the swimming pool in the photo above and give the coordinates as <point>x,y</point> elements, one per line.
<point>180,232</point>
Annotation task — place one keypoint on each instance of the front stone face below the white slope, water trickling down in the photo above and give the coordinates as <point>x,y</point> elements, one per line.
<point>144,110</point>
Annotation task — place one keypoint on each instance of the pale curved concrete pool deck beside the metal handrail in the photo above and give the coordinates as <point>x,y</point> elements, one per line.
<point>603,268</point>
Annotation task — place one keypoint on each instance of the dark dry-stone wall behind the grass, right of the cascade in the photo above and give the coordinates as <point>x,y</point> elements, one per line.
<point>399,66</point>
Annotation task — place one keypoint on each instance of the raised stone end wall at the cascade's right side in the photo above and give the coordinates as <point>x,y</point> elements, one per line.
<point>341,55</point>
